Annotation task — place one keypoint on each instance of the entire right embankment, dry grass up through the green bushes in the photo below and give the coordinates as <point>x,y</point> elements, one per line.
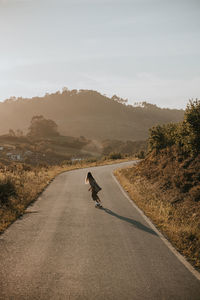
<point>166,184</point>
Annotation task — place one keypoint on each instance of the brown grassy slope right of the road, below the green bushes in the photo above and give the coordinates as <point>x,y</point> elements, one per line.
<point>168,191</point>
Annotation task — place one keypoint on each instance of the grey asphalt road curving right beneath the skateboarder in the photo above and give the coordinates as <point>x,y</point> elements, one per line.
<point>65,248</point>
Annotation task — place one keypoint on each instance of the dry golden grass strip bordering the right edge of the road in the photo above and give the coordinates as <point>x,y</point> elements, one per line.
<point>178,221</point>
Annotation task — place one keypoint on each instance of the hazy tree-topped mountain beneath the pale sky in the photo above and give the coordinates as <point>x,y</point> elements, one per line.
<point>86,113</point>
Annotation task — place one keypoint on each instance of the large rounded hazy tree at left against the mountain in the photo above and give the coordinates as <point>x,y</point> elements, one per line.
<point>41,127</point>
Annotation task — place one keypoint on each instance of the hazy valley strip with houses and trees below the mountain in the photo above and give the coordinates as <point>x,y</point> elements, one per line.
<point>55,150</point>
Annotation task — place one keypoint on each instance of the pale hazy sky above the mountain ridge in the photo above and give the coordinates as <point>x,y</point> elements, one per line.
<point>143,50</point>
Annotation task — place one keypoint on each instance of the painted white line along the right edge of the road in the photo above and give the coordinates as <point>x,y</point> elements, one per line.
<point>167,243</point>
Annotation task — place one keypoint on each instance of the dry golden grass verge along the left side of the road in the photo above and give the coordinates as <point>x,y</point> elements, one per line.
<point>21,184</point>
